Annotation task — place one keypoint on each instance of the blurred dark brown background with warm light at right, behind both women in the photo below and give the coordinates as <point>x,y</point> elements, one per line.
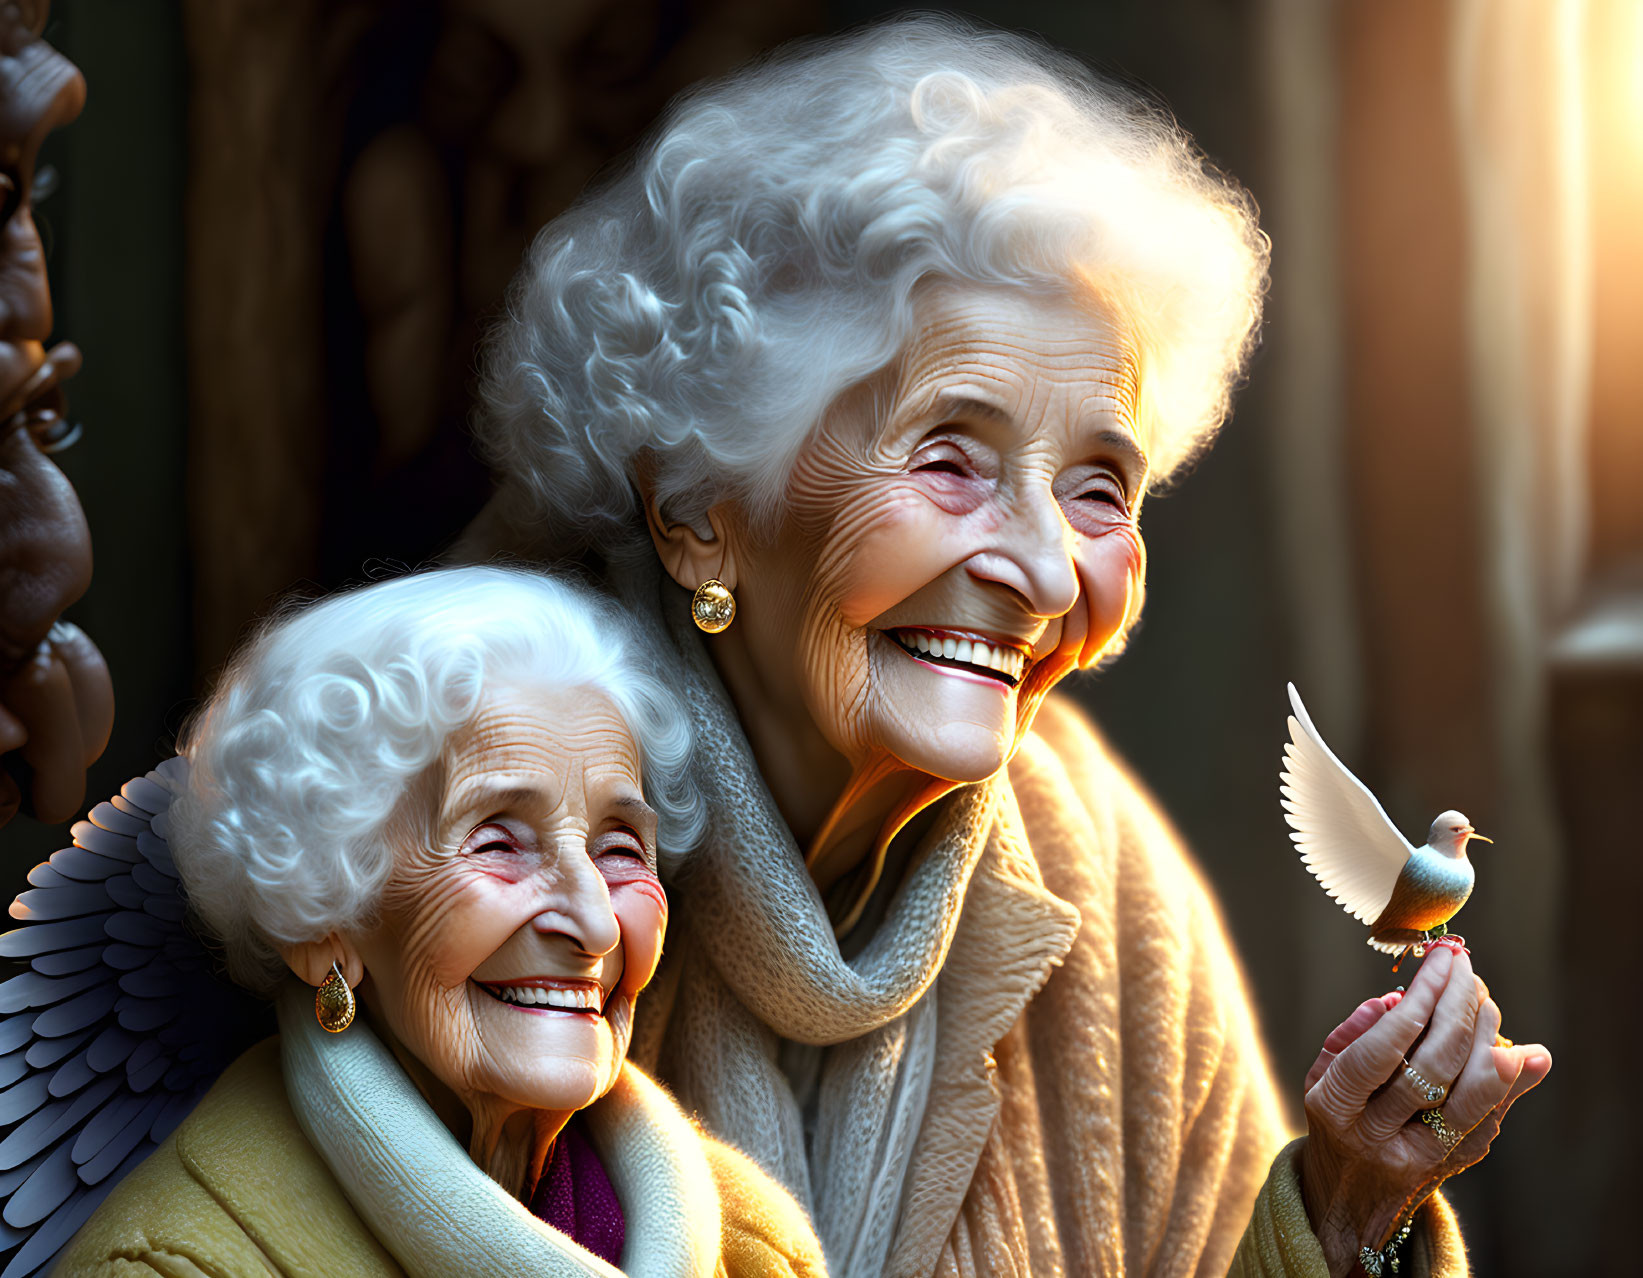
<point>280,229</point>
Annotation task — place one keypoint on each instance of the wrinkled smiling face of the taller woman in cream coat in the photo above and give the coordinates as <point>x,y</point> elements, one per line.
<point>957,538</point>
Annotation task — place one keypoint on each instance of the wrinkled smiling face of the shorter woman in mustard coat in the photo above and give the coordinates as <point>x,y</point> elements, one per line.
<point>527,916</point>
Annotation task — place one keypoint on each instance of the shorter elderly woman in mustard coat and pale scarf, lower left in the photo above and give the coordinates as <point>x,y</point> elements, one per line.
<point>449,791</point>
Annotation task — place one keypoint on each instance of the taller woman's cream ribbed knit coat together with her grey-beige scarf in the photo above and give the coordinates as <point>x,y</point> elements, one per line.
<point>1044,1059</point>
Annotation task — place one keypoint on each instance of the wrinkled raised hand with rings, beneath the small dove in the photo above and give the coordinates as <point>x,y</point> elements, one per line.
<point>1369,1162</point>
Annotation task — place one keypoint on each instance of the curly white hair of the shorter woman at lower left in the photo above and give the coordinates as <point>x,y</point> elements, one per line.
<point>308,748</point>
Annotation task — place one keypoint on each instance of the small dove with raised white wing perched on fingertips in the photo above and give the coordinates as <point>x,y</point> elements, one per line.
<point>1406,894</point>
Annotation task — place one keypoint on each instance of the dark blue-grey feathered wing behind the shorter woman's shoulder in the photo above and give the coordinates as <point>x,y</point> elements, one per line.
<point>114,1031</point>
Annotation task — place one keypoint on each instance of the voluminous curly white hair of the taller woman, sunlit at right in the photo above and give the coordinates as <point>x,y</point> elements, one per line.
<point>763,251</point>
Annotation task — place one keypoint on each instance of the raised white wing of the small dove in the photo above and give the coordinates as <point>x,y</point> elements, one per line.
<point>1340,827</point>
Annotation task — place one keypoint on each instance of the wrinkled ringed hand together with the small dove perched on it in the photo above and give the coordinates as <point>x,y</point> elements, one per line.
<point>1411,1088</point>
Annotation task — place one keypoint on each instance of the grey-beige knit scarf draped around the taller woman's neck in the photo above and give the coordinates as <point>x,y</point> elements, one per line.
<point>762,967</point>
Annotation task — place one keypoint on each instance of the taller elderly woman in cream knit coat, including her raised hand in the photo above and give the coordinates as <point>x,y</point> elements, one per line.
<point>855,384</point>
